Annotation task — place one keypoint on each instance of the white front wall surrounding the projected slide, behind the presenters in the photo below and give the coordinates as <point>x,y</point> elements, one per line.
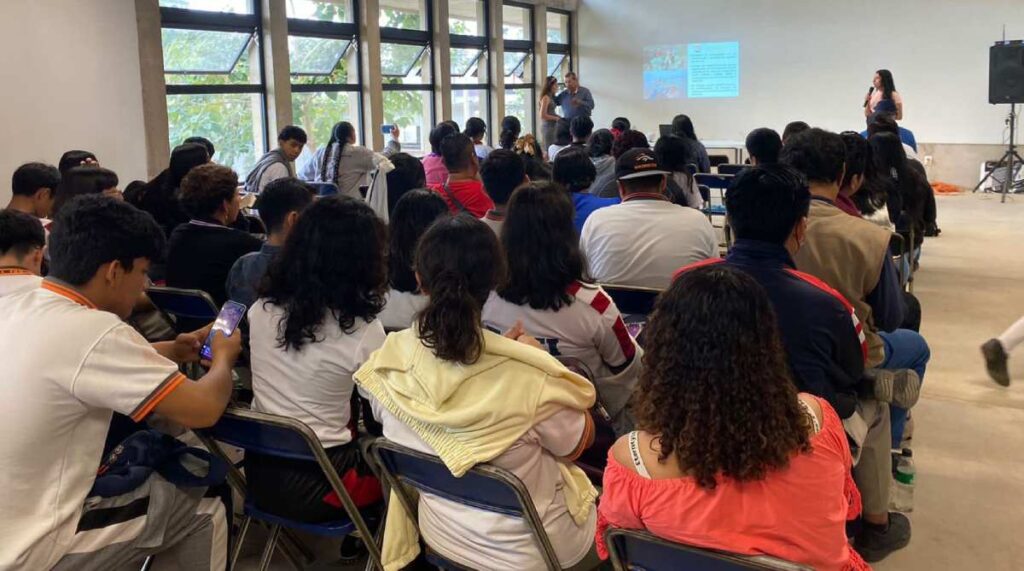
<point>807,60</point>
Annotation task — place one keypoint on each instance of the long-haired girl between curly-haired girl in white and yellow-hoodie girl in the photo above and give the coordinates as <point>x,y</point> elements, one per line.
<point>415,213</point>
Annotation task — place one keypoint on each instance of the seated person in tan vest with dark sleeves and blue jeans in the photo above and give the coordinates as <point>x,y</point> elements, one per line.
<point>852,256</point>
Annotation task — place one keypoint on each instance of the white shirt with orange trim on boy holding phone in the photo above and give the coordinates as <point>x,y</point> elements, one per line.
<point>57,400</point>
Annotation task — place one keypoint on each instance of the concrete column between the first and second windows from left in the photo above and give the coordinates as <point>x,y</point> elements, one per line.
<point>279,83</point>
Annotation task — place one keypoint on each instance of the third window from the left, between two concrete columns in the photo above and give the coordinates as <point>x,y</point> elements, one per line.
<point>407,67</point>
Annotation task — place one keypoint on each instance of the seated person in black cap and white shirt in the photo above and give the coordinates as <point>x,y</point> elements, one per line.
<point>645,240</point>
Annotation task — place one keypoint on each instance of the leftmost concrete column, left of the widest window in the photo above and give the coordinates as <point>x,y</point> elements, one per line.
<point>151,58</point>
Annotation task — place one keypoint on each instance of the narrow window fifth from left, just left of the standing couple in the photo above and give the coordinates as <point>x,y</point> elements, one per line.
<point>519,64</point>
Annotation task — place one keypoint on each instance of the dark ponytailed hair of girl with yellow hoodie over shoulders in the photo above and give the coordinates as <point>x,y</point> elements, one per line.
<point>459,263</point>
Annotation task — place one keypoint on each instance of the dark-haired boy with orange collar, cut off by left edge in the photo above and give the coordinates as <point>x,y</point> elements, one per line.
<point>22,243</point>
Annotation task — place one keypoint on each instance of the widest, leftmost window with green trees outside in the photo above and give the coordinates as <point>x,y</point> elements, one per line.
<point>214,69</point>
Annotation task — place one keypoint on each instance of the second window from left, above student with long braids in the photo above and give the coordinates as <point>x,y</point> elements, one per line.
<point>324,59</point>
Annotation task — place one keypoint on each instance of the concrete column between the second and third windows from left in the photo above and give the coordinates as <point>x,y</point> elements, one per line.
<point>370,53</point>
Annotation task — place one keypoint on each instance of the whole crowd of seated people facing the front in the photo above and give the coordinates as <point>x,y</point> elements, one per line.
<point>449,324</point>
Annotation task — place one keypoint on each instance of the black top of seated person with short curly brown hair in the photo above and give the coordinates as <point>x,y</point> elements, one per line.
<point>201,256</point>
